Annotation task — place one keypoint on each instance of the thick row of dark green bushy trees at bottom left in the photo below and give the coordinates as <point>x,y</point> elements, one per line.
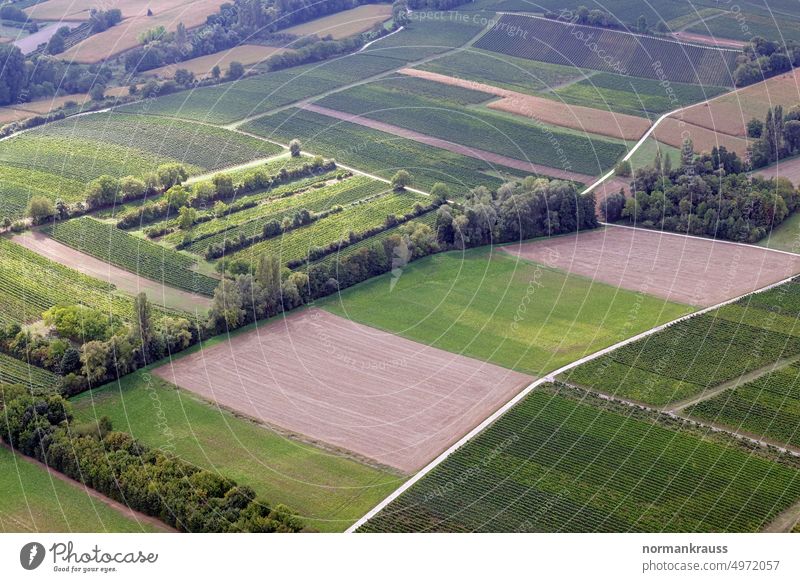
<point>178,493</point>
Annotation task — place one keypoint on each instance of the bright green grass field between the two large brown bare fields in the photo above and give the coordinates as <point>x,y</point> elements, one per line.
<point>467,303</point>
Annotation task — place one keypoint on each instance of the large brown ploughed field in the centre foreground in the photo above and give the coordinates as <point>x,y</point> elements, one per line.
<point>380,396</point>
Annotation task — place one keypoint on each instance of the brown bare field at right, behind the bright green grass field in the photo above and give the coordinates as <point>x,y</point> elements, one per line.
<point>675,267</point>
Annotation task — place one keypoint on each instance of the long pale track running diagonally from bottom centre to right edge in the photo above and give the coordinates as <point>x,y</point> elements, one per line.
<point>528,389</point>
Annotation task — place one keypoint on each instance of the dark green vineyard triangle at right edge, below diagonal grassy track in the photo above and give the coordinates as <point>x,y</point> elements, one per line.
<point>768,407</point>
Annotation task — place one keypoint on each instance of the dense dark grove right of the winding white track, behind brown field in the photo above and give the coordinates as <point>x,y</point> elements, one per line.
<point>711,196</point>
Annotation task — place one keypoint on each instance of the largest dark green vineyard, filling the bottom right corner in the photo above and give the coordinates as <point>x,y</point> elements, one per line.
<point>594,468</point>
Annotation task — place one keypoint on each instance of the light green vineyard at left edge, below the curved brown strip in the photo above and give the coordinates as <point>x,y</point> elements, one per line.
<point>31,284</point>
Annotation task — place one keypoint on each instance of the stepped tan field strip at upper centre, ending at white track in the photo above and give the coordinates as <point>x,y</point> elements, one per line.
<point>585,119</point>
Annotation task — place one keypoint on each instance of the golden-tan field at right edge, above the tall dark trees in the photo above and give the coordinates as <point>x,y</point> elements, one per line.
<point>730,113</point>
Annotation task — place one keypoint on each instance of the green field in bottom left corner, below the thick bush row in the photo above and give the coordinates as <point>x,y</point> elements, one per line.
<point>33,501</point>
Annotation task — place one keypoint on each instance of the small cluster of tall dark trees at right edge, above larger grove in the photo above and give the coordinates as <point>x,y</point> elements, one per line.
<point>777,137</point>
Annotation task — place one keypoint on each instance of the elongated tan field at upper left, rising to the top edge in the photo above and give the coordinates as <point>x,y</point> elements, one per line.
<point>125,35</point>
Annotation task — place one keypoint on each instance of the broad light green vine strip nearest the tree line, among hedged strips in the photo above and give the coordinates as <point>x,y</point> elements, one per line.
<point>296,244</point>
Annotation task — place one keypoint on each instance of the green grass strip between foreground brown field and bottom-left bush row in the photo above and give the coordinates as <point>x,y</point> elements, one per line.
<point>329,491</point>
